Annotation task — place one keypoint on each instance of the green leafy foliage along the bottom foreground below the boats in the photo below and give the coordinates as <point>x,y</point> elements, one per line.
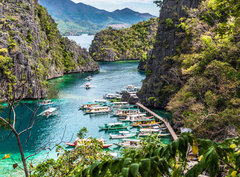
<point>152,160</point>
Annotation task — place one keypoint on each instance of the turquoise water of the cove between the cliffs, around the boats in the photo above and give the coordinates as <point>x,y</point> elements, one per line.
<point>68,96</point>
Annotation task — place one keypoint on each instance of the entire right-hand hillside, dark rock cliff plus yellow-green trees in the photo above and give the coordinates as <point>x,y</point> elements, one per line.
<point>197,78</point>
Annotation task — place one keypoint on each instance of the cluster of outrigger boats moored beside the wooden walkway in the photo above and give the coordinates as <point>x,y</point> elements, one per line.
<point>131,124</point>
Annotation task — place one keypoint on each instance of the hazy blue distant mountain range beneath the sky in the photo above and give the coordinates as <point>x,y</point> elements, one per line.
<point>77,18</point>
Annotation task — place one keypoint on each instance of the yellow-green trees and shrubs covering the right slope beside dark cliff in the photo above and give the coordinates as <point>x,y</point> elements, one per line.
<point>208,101</point>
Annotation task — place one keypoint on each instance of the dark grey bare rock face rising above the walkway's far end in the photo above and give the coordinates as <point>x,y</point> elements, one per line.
<point>163,78</point>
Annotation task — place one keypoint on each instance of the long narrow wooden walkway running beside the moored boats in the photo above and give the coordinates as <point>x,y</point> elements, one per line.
<point>169,127</point>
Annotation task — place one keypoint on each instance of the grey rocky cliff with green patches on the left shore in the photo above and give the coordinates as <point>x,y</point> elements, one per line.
<point>32,50</point>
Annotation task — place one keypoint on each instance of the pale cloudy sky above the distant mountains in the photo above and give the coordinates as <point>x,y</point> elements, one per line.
<point>111,5</point>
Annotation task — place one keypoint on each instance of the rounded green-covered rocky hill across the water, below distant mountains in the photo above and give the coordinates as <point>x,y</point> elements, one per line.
<point>122,44</point>
